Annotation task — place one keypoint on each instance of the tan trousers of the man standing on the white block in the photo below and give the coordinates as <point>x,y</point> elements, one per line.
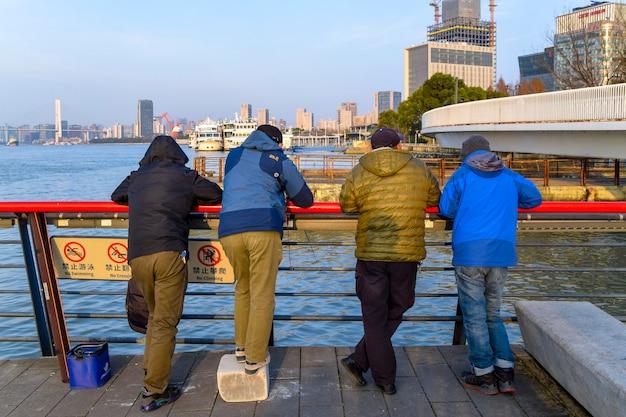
<point>255,257</point>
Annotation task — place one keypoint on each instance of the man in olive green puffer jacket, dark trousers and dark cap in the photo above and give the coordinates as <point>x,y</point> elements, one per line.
<point>390,189</point>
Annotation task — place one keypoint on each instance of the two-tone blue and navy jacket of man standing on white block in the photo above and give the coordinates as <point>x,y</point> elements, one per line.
<point>257,177</point>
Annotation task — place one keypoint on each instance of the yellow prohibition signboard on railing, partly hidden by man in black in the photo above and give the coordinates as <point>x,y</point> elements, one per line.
<point>107,258</point>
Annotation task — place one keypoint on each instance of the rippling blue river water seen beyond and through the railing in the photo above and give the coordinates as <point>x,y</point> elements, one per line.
<point>91,172</point>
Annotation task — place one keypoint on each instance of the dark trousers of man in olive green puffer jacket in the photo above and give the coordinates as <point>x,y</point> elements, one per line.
<point>386,291</point>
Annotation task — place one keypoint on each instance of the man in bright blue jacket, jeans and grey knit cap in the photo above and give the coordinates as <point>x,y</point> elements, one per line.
<point>483,197</point>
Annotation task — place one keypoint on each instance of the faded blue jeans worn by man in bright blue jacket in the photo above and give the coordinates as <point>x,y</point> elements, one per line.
<point>480,297</point>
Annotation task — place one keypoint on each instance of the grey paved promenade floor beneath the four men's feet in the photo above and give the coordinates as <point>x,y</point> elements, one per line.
<point>305,382</point>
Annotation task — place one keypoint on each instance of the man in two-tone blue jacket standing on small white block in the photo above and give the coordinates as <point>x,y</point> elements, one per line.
<point>258,177</point>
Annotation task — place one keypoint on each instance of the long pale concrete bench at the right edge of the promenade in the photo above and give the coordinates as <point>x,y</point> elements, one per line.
<point>582,347</point>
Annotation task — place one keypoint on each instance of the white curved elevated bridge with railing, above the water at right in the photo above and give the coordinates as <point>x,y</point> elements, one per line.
<point>586,123</point>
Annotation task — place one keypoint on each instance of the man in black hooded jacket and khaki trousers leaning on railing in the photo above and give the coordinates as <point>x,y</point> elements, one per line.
<point>160,196</point>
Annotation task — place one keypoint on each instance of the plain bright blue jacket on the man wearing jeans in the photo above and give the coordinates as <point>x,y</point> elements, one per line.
<point>483,197</point>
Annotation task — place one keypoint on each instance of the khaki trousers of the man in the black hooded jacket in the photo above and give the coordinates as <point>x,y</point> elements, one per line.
<point>162,278</point>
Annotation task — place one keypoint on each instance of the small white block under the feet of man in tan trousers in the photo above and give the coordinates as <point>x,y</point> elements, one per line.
<point>235,385</point>
